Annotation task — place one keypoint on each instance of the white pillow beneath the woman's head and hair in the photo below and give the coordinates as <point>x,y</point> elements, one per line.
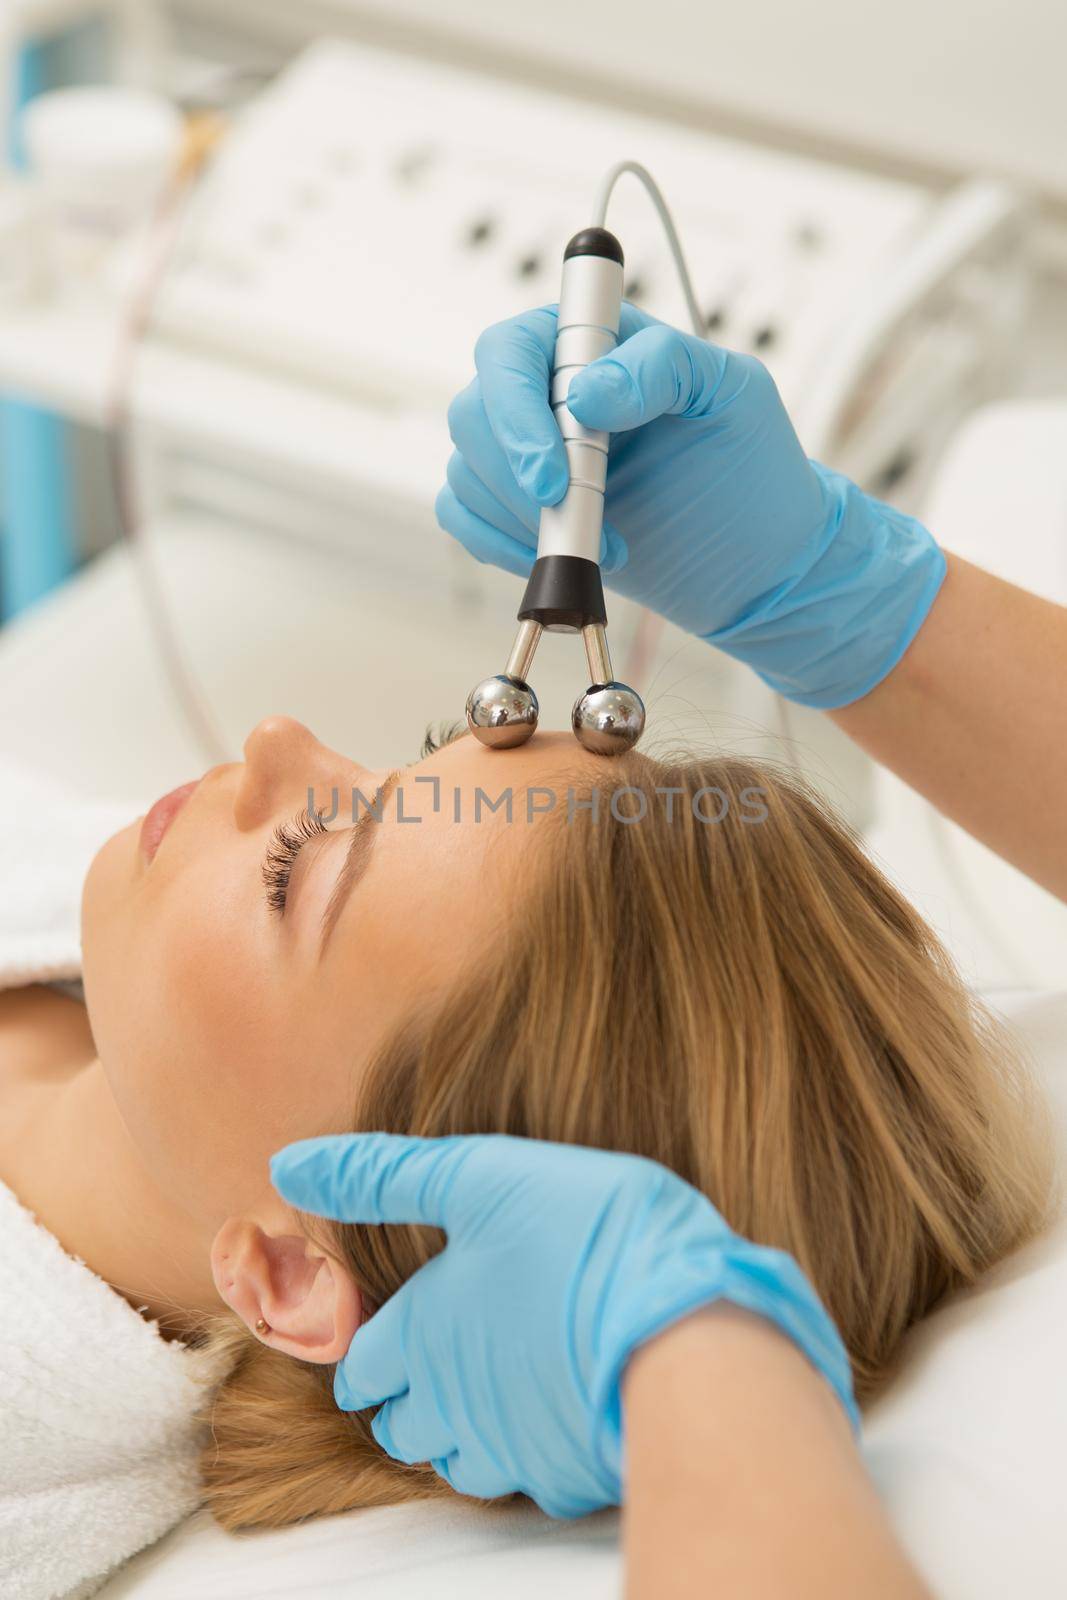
<point>967,1450</point>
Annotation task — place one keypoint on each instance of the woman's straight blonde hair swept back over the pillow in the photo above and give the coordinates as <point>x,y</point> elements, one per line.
<point>748,1002</point>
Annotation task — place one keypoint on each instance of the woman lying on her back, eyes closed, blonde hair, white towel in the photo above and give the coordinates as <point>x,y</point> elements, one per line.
<point>685,959</point>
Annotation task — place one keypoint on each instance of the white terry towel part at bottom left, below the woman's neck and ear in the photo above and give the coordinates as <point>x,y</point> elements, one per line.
<point>98,1444</point>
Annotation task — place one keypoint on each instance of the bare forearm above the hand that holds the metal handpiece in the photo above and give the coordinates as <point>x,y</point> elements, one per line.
<point>975,718</point>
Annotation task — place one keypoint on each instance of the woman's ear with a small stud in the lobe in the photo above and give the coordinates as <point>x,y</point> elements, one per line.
<point>289,1292</point>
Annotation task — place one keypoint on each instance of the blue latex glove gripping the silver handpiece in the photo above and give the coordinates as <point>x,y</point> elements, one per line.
<point>714,514</point>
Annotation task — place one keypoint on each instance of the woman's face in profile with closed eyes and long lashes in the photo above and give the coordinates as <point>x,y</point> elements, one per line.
<point>234,1015</point>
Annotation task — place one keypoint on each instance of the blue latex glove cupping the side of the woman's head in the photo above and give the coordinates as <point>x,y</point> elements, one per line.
<point>500,1361</point>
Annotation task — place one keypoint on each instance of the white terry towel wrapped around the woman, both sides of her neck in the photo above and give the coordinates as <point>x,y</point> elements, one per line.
<point>98,1442</point>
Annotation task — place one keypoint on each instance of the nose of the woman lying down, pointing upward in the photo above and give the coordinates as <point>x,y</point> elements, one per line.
<point>284,761</point>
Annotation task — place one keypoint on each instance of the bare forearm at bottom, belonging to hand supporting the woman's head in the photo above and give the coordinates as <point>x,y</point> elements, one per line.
<point>743,1478</point>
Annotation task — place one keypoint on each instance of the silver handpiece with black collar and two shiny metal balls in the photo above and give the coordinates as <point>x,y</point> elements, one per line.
<point>565,591</point>
